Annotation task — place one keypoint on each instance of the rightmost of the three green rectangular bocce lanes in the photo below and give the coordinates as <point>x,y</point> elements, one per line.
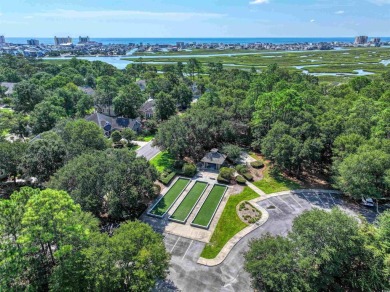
<point>209,206</point>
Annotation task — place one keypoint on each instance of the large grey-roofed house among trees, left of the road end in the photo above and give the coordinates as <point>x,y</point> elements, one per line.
<point>111,124</point>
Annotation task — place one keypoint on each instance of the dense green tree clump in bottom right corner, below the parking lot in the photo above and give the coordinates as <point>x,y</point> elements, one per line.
<point>323,252</point>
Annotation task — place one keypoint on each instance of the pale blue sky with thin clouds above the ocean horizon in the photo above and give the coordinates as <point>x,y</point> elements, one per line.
<point>199,18</point>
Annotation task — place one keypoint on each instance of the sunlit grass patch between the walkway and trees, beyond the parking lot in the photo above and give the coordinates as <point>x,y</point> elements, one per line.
<point>275,183</point>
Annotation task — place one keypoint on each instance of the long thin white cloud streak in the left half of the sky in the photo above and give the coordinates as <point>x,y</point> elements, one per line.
<point>104,14</point>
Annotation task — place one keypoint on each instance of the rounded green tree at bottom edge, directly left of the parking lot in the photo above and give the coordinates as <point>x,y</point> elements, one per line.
<point>135,244</point>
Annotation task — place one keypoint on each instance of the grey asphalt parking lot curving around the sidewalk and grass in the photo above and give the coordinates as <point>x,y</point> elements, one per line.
<point>187,275</point>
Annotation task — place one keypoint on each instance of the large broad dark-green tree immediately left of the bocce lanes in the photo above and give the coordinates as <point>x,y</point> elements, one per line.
<point>113,182</point>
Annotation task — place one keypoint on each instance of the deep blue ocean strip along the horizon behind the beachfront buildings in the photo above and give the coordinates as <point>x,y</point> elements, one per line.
<point>172,41</point>
